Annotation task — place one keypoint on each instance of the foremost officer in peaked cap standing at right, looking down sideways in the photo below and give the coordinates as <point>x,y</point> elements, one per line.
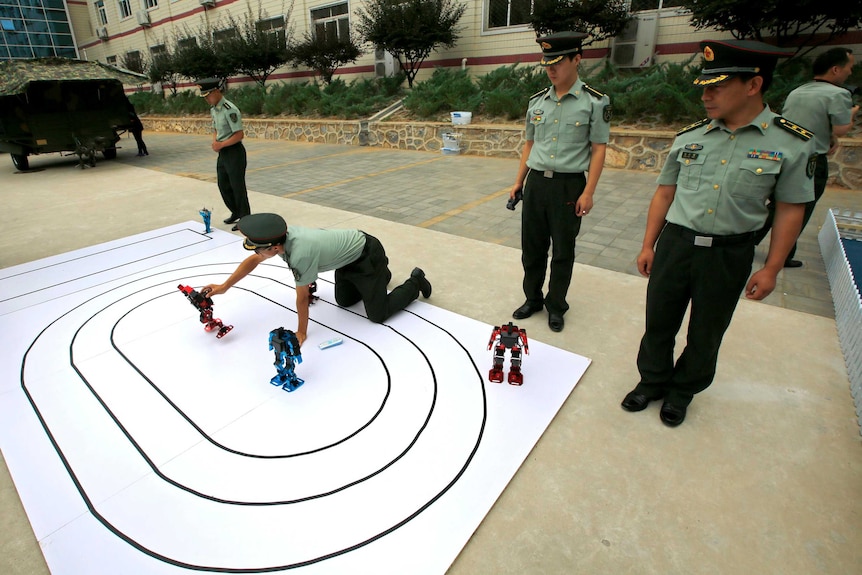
<point>698,247</point>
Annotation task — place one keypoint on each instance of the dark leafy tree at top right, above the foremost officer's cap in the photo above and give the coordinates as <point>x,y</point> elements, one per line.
<point>804,24</point>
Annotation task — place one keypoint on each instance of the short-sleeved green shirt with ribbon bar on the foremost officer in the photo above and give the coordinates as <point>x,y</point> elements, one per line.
<point>723,178</point>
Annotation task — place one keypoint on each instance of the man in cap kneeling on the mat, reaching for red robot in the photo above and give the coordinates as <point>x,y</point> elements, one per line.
<point>359,260</point>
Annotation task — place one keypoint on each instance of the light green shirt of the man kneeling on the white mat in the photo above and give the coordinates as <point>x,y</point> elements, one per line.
<point>309,251</point>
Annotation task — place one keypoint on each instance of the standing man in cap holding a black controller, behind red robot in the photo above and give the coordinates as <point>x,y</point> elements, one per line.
<point>567,131</point>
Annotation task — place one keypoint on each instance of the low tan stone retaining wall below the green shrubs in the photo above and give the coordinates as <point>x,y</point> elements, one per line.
<point>630,149</point>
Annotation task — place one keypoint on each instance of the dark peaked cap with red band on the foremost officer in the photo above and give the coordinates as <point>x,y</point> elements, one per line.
<point>724,59</point>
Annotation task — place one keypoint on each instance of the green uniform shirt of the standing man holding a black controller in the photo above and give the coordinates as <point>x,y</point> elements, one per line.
<point>562,129</point>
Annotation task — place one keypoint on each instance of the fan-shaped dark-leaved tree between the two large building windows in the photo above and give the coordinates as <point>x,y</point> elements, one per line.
<point>410,29</point>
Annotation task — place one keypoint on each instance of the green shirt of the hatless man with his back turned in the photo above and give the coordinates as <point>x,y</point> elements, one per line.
<point>818,106</point>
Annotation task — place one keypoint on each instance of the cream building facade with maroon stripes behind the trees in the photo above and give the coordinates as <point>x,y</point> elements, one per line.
<point>128,33</point>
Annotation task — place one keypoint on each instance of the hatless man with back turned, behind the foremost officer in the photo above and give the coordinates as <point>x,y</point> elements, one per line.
<point>826,108</point>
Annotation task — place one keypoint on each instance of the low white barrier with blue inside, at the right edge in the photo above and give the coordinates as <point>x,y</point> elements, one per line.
<point>845,295</point>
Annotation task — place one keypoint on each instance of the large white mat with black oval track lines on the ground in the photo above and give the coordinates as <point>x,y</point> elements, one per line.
<point>140,443</point>
